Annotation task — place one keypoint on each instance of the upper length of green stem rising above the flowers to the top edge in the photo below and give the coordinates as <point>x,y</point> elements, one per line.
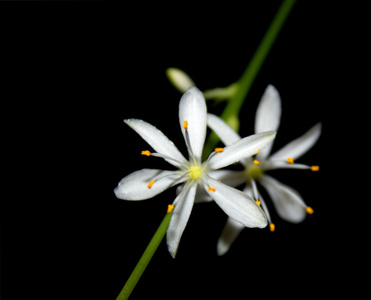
<point>230,113</point>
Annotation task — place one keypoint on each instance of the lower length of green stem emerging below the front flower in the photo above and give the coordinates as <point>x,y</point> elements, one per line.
<point>145,259</point>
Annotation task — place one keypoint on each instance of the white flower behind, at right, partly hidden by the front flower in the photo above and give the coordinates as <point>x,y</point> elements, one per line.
<point>287,201</point>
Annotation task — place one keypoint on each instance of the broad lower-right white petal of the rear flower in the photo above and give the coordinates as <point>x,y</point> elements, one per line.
<point>287,201</point>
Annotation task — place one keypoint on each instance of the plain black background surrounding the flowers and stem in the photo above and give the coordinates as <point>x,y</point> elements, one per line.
<point>74,72</point>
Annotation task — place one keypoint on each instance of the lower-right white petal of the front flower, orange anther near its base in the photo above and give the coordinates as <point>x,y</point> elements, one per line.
<point>236,204</point>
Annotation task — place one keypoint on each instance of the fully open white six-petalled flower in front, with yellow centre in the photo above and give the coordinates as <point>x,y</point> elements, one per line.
<point>147,183</point>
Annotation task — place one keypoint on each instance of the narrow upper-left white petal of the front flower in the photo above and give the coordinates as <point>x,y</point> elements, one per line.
<point>158,141</point>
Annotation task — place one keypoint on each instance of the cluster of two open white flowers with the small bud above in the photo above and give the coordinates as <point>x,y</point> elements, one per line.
<point>207,181</point>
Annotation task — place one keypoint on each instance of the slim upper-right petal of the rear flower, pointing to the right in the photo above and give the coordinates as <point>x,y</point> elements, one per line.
<point>299,146</point>
